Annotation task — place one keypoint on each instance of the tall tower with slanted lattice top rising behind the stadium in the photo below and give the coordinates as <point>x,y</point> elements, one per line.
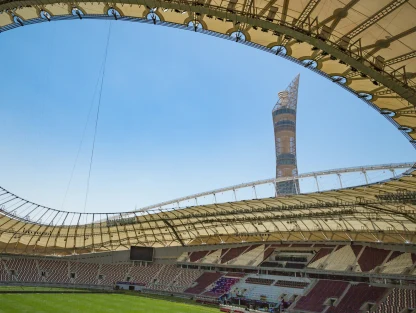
<point>284,122</point>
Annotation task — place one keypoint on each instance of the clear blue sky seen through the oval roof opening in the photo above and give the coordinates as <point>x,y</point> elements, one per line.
<point>181,113</point>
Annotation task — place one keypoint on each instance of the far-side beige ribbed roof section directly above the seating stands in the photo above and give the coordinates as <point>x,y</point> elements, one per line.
<point>382,212</point>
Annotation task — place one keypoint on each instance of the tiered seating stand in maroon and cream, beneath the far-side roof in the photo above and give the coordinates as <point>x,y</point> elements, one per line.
<point>307,295</point>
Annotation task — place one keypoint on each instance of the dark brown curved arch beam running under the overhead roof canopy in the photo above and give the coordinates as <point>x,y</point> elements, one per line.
<point>358,61</point>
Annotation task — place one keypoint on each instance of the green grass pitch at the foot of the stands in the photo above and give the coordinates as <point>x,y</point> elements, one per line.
<point>93,303</point>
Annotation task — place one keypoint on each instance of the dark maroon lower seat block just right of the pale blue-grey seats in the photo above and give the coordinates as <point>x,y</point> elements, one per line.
<point>315,299</point>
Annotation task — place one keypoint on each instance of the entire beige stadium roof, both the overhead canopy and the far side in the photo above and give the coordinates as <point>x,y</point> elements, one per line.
<point>364,46</point>
